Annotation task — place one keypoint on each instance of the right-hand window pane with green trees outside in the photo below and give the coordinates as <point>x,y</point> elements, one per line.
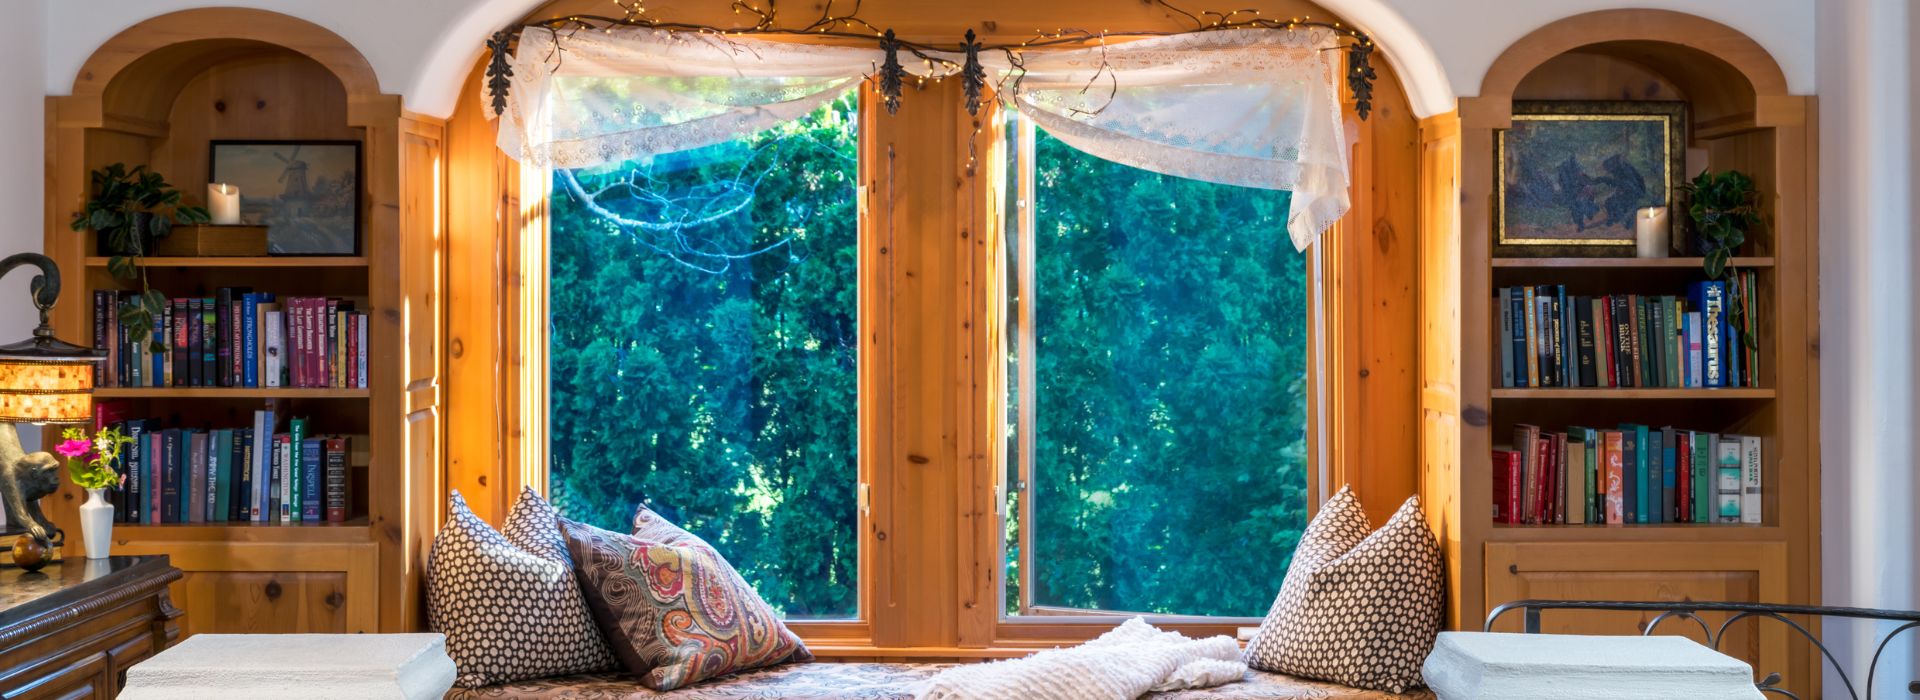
<point>1168,390</point>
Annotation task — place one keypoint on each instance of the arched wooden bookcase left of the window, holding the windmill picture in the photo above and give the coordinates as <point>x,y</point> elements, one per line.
<point>156,95</point>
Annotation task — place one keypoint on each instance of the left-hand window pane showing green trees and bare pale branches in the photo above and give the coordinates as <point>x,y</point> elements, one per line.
<point>704,352</point>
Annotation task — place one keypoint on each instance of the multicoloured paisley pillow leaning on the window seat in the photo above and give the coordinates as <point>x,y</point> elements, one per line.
<point>673,609</point>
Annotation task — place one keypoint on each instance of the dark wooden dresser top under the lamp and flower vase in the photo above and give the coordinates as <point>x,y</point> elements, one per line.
<point>72,582</point>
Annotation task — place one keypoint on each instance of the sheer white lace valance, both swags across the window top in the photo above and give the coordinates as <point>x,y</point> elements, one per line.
<point>1253,108</point>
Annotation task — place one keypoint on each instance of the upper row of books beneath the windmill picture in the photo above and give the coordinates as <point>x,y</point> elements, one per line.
<point>237,338</point>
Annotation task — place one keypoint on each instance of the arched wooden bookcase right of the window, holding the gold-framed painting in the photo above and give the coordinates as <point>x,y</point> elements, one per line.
<point>1740,118</point>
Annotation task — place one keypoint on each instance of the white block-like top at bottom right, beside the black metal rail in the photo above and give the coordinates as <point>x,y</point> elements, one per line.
<point>1489,666</point>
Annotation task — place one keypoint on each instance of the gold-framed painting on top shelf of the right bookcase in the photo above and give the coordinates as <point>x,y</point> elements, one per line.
<point>1572,175</point>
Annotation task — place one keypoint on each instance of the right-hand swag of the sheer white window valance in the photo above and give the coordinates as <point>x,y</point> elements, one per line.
<point>1253,108</point>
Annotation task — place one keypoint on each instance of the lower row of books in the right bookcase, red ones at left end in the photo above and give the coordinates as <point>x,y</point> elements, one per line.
<point>1633,475</point>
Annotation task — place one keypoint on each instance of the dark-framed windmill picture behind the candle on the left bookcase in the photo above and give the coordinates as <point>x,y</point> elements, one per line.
<point>306,193</point>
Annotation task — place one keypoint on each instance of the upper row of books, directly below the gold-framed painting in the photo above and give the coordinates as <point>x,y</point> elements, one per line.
<point>1627,340</point>
